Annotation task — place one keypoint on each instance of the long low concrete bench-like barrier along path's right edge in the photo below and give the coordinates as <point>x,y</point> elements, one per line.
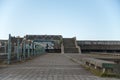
<point>97,64</point>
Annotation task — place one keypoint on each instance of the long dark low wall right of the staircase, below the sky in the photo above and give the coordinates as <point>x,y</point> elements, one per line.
<point>99,46</point>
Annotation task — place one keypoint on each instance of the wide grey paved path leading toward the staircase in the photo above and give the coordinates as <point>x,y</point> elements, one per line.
<point>48,67</point>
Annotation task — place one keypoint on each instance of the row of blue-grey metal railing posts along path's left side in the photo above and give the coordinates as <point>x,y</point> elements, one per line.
<point>19,50</point>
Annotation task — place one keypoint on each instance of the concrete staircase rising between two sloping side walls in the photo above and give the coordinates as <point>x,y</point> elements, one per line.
<point>70,45</point>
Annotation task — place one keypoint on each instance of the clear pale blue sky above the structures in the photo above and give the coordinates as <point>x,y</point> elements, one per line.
<point>83,19</point>
